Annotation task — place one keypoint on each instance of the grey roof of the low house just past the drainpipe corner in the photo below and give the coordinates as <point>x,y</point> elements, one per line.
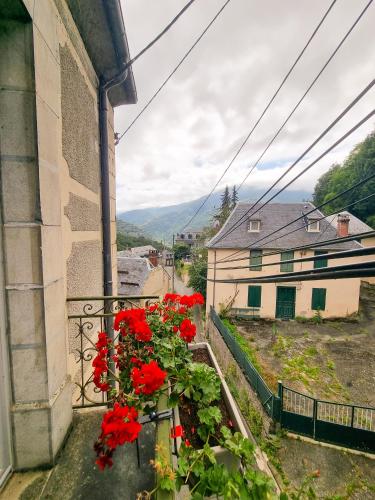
<point>132,274</point>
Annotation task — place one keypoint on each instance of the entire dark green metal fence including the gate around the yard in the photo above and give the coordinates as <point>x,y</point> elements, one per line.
<point>347,425</point>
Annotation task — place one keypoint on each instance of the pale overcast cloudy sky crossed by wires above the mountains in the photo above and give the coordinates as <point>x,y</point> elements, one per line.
<point>180,146</point>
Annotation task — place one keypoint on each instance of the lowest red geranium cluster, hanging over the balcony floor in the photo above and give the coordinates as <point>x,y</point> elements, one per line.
<point>119,426</point>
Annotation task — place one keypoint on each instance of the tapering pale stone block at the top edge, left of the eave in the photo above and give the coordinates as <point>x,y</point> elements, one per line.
<point>46,21</point>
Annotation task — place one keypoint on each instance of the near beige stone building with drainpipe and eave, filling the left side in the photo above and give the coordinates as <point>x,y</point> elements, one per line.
<point>58,235</point>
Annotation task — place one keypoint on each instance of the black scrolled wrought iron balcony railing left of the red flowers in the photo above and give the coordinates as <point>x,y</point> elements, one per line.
<point>86,317</point>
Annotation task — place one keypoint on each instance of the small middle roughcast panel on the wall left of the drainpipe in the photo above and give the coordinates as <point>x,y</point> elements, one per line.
<point>84,215</point>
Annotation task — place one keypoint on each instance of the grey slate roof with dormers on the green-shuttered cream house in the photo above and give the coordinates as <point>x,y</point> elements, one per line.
<point>273,216</point>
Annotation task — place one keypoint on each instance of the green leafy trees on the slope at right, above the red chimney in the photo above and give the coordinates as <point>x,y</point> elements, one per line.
<point>359,165</point>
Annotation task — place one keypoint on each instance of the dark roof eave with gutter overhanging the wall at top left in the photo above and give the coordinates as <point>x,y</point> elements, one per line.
<point>101,26</point>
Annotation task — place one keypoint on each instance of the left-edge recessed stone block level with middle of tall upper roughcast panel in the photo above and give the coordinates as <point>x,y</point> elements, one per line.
<point>17,123</point>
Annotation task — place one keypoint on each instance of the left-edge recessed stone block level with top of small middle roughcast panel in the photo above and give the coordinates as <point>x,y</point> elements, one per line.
<point>19,182</point>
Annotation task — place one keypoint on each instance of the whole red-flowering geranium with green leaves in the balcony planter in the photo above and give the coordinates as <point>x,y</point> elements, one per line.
<point>148,357</point>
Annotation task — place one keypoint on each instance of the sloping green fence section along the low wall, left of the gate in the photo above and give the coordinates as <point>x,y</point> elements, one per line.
<point>269,400</point>
